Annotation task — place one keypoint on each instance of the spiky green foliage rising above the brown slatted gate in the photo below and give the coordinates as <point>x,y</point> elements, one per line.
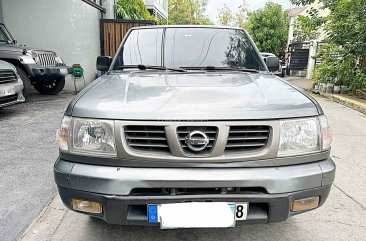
<point>132,9</point>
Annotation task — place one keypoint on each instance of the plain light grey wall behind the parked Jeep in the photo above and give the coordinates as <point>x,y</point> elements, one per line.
<point>68,27</point>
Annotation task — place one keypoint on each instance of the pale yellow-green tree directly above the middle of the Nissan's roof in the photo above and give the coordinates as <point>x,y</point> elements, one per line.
<point>188,12</point>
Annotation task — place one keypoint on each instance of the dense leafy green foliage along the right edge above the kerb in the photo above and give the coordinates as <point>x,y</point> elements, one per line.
<point>345,55</point>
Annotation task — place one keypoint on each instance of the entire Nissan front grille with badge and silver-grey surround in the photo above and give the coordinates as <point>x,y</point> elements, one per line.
<point>198,142</point>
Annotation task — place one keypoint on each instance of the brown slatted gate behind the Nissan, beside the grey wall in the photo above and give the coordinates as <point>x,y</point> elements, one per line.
<point>113,31</point>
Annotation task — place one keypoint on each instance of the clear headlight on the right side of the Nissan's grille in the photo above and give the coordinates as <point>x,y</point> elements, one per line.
<point>299,136</point>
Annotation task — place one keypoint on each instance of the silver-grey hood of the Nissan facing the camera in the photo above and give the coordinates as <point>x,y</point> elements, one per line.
<point>191,96</point>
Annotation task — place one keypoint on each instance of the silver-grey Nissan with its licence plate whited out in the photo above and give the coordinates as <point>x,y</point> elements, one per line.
<point>182,137</point>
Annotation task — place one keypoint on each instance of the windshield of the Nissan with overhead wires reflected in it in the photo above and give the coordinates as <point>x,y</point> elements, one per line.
<point>189,47</point>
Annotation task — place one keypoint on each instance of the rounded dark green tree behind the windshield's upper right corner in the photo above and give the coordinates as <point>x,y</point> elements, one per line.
<point>269,28</point>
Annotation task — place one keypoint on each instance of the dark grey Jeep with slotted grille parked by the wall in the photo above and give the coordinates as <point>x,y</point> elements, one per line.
<point>41,68</point>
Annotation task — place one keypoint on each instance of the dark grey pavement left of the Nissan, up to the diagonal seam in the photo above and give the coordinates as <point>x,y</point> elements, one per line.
<point>27,152</point>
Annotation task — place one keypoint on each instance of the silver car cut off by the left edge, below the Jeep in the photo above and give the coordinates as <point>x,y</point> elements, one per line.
<point>11,86</point>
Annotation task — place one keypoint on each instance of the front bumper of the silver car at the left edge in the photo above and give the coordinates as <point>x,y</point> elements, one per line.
<point>11,94</point>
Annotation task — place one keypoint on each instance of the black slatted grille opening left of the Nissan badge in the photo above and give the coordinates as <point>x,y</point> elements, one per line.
<point>147,138</point>
